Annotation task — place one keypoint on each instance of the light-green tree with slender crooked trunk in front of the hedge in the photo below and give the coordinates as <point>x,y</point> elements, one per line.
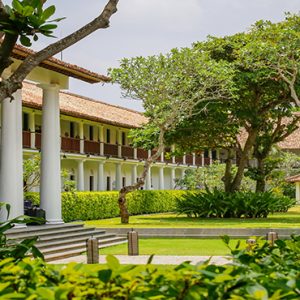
<point>170,86</point>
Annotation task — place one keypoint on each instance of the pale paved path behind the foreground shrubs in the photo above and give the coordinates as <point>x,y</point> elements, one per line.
<point>142,259</point>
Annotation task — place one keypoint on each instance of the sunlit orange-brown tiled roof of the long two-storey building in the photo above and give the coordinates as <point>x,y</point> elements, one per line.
<point>85,108</point>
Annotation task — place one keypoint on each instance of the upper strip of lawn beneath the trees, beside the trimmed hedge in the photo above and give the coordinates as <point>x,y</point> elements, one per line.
<point>291,219</point>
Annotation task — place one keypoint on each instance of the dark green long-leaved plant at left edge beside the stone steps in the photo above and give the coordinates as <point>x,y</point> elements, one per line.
<point>16,250</point>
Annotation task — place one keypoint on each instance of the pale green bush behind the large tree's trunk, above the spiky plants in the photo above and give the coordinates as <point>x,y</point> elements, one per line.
<point>210,177</point>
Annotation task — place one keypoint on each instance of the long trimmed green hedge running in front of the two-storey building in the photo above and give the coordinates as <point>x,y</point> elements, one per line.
<point>101,205</point>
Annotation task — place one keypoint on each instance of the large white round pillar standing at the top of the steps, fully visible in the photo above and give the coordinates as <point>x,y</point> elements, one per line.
<point>50,155</point>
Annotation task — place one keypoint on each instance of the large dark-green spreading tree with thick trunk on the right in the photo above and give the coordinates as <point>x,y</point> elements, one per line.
<point>262,95</point>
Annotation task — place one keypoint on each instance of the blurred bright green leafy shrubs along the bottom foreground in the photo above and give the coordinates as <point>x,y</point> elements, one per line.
<point>263,272</point>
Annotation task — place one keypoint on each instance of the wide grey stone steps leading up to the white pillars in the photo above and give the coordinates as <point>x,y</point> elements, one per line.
<point>65,240</point>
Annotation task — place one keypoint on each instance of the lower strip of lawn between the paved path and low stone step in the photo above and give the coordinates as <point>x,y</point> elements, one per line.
<point>170,246</point>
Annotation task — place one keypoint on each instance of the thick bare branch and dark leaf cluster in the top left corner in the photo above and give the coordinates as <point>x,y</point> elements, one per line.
<point>26,20</point>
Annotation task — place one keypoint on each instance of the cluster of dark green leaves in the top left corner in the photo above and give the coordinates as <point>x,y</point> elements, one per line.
<point>28,18</point>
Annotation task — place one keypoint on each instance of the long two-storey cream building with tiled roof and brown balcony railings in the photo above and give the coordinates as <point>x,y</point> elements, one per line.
<point>94,144</point>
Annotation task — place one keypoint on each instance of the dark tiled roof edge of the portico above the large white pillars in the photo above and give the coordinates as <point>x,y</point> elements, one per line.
<point>59,66</point>
